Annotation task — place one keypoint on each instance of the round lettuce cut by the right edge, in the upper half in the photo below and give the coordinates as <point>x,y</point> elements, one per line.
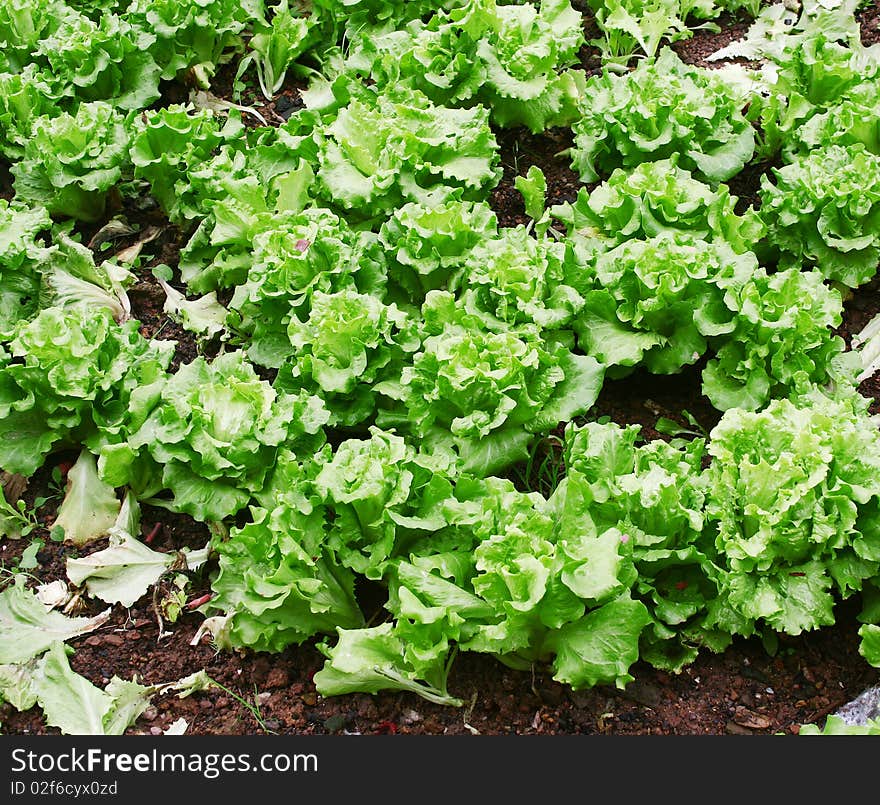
<point>823,211</point>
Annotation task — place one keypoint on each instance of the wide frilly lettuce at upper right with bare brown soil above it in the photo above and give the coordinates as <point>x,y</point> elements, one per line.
<point>662,107</point>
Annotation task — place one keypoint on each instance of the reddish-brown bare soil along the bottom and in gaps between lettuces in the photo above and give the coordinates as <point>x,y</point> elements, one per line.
<point>748,689</point>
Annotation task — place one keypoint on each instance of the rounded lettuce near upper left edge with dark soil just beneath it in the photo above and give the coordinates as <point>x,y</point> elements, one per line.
<point>72,161</point>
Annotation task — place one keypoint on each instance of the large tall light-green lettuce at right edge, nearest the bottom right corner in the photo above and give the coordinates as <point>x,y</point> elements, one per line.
<point>793,497</point>
